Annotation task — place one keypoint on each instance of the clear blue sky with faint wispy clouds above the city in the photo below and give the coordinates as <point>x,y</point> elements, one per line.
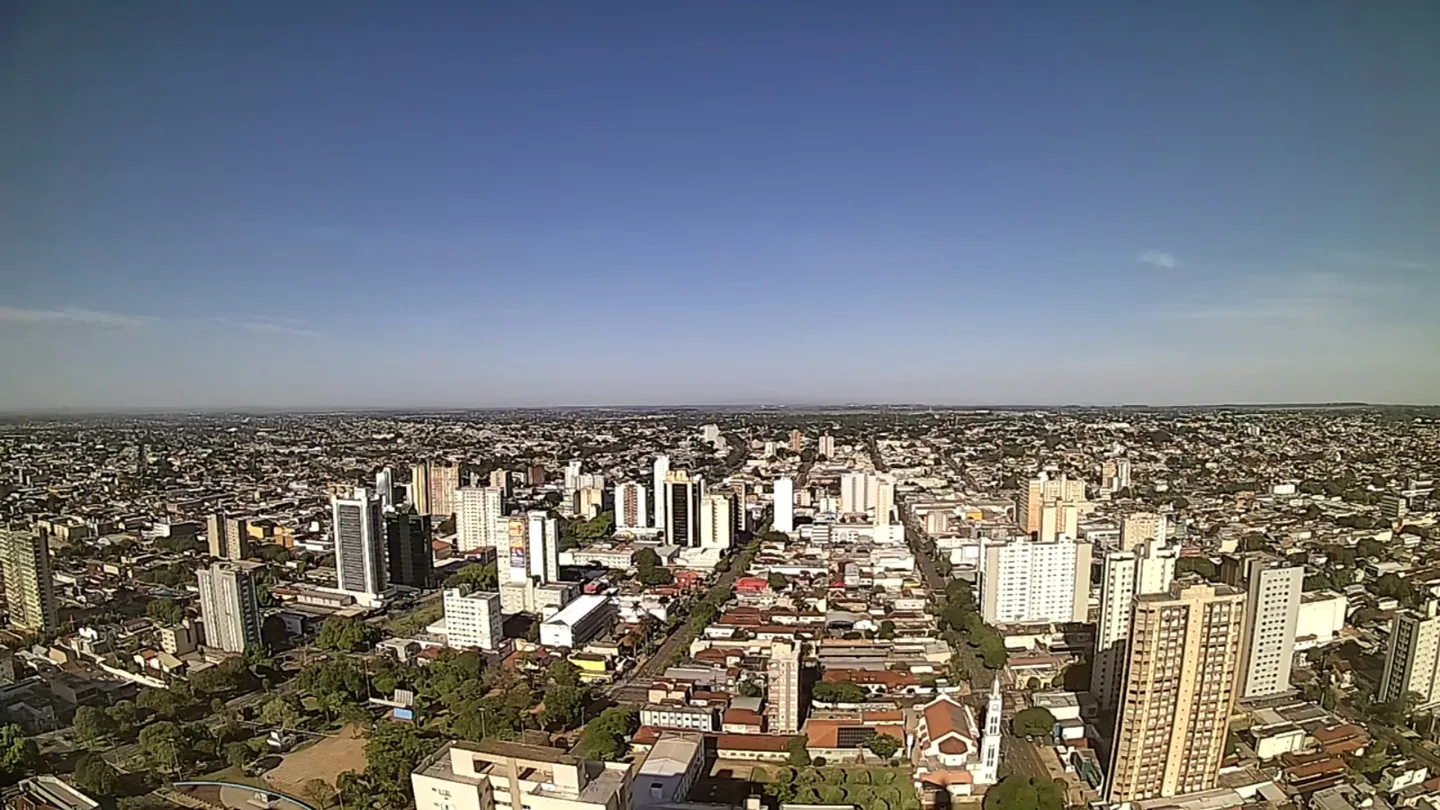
<point>359,204</point>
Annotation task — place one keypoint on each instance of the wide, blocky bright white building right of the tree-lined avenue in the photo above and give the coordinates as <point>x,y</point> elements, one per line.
<point>1035,582</point>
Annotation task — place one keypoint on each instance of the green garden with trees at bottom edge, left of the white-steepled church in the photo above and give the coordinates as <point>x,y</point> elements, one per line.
<point>868,789</point>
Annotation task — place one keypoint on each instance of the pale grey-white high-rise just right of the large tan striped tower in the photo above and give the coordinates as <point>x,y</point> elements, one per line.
<point>1272,612</point>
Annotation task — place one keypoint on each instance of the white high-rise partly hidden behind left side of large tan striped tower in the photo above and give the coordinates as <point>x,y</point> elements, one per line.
<point>1151,570</point>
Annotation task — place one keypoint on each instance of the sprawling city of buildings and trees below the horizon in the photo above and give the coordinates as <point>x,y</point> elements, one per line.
<point>879,609</point>
